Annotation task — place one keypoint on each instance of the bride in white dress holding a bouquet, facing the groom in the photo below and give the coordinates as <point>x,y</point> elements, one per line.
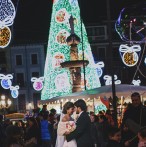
<point>65,126</point>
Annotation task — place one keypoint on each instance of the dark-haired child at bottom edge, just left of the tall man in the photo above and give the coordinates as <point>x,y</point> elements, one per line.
<point>114,137</point>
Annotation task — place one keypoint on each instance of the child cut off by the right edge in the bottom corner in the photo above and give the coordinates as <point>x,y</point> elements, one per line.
<point>142,137</point>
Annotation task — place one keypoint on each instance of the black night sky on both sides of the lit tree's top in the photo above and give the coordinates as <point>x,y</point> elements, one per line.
<point>33,17</point>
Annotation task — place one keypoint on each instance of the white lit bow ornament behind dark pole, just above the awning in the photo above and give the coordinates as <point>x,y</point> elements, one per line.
<point>108,80</point>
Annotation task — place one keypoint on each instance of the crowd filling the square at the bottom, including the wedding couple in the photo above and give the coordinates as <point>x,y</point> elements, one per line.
<point>84,129</point>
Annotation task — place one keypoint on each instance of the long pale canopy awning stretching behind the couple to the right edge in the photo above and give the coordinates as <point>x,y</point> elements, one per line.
<point>103,91</point>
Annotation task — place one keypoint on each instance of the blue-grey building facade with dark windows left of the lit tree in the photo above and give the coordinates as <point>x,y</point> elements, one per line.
<point>26,61</point>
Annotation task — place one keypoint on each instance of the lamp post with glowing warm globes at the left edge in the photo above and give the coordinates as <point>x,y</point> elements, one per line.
<point>4,104</point>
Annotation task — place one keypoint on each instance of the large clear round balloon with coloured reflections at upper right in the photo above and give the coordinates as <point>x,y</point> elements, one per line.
<point>130,24</point>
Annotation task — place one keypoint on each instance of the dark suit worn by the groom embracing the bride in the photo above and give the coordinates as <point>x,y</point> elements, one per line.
<point>82,132</point>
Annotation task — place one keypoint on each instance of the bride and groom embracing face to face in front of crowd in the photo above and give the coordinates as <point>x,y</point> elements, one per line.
<point>71,133</point>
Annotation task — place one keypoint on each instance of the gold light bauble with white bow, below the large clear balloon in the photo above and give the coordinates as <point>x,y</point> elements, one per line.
<point>129,54</point>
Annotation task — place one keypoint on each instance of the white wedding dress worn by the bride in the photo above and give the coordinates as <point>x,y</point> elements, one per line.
<point>61,141</point>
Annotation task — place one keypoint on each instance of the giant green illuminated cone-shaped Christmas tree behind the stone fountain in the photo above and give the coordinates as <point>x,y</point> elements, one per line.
<point>58,80</point>
